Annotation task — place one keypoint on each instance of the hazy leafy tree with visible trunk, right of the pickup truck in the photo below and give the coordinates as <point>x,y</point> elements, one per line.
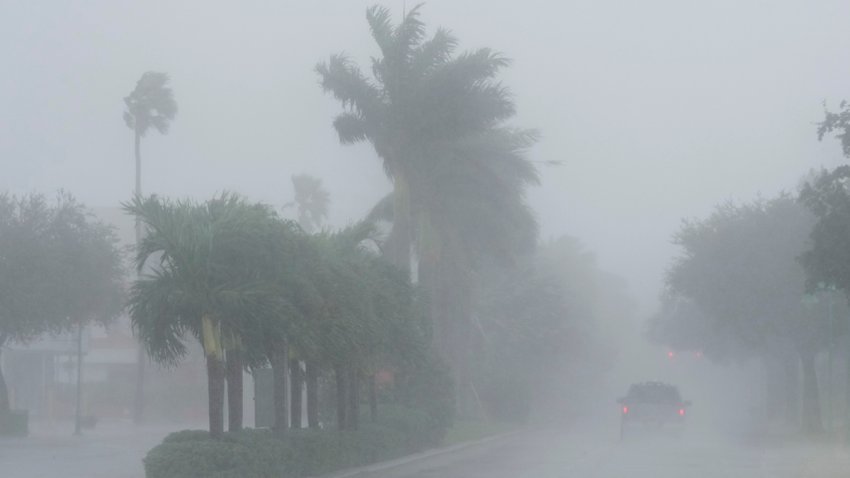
<point>739,267</point>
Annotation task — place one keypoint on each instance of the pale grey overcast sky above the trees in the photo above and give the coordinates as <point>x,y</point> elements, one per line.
<point>658,109</point>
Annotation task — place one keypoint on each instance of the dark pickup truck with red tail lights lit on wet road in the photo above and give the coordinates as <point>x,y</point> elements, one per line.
<point>652,404</point>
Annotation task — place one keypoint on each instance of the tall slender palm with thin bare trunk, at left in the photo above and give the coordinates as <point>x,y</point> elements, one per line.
<point>150,104</point>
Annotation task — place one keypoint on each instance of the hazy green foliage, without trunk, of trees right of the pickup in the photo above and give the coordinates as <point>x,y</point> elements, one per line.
<point>738,288</point>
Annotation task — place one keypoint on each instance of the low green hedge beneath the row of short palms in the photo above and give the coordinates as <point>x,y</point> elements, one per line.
<point>298,453</point>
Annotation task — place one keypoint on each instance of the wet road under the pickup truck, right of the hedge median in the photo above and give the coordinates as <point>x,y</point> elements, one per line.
<point>553,454</point>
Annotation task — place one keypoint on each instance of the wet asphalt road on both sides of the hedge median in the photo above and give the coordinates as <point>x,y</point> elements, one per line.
<point>116,452</point>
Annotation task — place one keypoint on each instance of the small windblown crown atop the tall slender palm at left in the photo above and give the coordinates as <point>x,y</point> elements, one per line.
<point>150,104</point>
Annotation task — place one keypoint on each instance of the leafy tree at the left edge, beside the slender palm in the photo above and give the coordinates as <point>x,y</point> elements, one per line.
<point>59,268</point>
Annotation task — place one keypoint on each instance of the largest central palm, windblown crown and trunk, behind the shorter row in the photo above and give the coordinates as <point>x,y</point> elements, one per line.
<point>437,122</point>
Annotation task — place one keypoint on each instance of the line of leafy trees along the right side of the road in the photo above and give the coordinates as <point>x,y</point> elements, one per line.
<point>765,280</point>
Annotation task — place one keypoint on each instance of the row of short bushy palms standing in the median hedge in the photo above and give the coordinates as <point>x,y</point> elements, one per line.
<point>257,290</point>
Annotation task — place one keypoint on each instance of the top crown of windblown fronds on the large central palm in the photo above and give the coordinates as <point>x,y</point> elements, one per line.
<point>420,93</point>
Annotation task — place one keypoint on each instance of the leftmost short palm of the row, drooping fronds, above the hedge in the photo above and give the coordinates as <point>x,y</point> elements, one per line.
<point>199,281</point>
